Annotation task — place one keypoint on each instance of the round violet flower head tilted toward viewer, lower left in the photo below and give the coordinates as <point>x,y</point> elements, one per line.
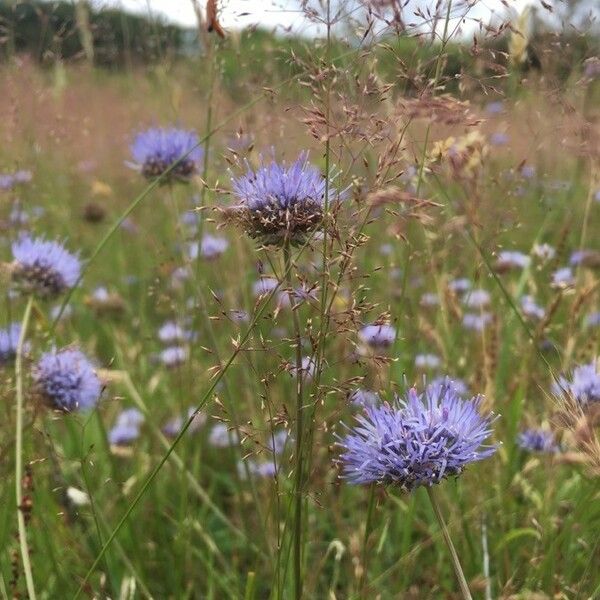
<point>66,380</point>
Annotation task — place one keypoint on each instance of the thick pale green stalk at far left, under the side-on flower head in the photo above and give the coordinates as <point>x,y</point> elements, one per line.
<point>19,453</point>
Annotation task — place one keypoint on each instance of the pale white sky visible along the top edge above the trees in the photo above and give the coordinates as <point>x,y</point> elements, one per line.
<point>281,14</point>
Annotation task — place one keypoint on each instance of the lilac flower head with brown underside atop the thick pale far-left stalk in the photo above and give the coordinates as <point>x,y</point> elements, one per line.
<point>44,267</point>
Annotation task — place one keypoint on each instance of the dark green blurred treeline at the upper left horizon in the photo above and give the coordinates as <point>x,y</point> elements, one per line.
<point>50,30</point>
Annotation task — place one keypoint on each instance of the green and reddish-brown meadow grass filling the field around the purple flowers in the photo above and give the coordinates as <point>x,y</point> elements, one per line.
<point>176,515</point>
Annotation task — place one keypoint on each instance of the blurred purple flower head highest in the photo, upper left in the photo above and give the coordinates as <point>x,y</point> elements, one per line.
<point>156,149</point>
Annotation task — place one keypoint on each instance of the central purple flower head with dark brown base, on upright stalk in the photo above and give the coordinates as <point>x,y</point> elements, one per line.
<point>281,203</point>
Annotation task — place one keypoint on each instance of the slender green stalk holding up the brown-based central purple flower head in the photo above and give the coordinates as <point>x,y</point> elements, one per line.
<point>299,431</point>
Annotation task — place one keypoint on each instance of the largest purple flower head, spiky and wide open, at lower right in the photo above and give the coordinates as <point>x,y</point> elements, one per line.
<point>420,440</point>
